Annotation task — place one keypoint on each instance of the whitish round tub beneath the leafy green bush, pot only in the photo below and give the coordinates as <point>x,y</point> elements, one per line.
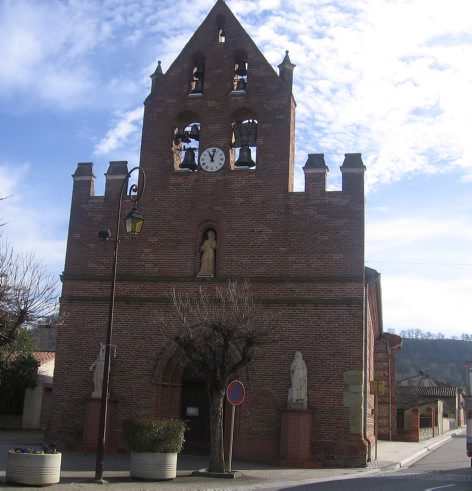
<point>153,465</point>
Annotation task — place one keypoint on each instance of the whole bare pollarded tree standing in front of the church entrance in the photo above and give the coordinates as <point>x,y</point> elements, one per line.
<point>219,331</point>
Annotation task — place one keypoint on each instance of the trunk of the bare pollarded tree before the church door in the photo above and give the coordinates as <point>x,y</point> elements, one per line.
<point>217,452</point>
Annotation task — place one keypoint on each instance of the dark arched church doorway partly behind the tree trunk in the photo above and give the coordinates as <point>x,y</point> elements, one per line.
<point>196,411</point>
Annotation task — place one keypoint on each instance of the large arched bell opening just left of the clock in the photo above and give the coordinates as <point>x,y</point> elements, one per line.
<point>186,146</point>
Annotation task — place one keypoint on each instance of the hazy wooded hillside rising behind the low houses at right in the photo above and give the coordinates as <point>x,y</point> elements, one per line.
<point>442,359</point>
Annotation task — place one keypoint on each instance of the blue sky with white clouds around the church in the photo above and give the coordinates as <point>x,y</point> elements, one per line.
<point>391,79</point>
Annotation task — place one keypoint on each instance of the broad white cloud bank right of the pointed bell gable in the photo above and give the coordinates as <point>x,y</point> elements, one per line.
<point>364,68</point>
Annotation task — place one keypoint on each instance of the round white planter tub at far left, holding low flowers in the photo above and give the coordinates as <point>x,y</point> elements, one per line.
<point>33,469</point>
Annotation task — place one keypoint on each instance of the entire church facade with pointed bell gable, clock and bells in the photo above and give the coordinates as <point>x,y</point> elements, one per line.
<point>218,154</point>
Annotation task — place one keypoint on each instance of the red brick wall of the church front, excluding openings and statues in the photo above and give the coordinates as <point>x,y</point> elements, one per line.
<point>303,254</point>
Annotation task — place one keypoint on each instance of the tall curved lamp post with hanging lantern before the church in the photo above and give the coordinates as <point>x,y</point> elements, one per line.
<point>134,223</point>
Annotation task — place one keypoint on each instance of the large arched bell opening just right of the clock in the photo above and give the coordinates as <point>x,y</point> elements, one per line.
<point>244,144</point>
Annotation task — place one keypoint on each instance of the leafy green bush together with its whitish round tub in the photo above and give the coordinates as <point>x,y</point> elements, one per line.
<point>154,444</point>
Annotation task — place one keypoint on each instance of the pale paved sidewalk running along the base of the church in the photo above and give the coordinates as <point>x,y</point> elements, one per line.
<point>78,469</point>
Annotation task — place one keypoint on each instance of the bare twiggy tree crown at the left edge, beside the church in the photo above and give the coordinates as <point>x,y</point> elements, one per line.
<point>28,293</point>
